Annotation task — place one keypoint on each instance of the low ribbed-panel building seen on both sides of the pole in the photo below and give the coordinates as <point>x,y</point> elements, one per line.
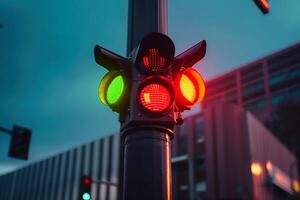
<point>213,157</point>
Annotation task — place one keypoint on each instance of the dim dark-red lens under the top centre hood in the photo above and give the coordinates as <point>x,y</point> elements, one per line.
<point>154,62</point>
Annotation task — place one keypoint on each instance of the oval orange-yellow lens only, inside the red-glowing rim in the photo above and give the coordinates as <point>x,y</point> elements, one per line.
<point>187,88</point>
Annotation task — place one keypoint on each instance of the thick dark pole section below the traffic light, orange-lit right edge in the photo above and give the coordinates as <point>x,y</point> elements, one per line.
<point>147,164</point>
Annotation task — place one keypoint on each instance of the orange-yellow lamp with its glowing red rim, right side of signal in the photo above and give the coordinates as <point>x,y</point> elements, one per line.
<point>190,88</point>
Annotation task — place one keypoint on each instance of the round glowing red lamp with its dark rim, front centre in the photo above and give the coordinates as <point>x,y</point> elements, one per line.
<point>156,94</point>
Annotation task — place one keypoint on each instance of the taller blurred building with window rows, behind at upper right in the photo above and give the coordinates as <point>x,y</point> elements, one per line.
<point>261,85</point>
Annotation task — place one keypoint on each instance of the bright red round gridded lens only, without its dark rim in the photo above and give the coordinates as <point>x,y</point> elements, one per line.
<point>155,97</point>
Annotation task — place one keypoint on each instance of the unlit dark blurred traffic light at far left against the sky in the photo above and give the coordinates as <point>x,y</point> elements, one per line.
<point>20,141</point>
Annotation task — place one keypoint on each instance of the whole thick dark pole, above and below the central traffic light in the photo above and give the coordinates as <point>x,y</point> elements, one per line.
<point>145,163</point>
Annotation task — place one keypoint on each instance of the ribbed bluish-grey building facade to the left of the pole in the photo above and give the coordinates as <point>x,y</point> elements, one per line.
<point>58,177</point>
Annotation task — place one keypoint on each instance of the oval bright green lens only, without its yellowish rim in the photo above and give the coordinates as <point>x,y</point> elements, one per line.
<point>115,90</point>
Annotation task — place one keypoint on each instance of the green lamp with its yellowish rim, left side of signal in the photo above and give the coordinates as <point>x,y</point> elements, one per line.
<point>111,88</point>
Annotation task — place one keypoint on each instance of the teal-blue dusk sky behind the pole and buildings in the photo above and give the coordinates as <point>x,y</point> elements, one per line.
<point>49,79</point>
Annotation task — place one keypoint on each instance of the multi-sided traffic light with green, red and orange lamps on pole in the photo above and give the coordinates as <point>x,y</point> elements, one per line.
<point>152,84</point>
